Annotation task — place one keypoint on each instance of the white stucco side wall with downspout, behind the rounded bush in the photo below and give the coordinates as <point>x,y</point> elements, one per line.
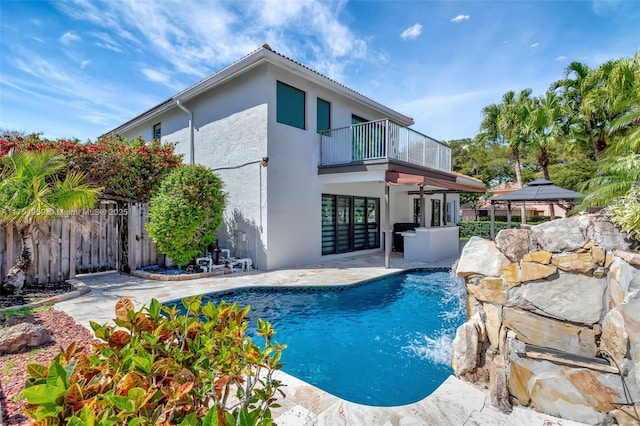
<point>230,129</point>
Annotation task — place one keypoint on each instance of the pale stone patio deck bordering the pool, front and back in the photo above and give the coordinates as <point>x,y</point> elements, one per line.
<point>454,403</point>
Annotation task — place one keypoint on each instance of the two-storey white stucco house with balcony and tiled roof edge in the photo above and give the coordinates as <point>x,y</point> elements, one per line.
<point>342,168</point>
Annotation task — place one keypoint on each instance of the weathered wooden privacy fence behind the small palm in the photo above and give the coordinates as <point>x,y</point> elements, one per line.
<point>110,237</point>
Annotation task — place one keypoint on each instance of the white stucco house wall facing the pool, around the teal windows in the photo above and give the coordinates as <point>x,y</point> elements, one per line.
<point>294,190</point>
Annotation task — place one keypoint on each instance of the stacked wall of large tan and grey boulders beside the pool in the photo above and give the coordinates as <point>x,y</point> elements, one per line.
<point>553,319</point>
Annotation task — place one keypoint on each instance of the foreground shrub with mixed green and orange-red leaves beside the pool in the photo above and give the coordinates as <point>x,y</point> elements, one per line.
<point>159,366</point>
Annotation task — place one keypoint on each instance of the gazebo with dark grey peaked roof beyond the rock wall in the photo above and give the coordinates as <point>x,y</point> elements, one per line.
<point>539,191</point>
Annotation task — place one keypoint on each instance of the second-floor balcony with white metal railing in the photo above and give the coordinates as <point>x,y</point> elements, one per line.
<point>382,139</point>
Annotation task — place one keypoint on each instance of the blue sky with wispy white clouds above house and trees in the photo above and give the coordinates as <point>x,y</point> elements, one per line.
<point>80,68</point>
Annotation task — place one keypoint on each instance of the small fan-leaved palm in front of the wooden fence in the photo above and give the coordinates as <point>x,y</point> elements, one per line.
<point>30,192</point>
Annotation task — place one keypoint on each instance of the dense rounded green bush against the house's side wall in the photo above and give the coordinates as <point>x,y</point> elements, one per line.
<point>186,212</point>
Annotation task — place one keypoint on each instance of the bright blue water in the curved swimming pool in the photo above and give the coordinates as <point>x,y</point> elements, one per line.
<point>384,343</point>
